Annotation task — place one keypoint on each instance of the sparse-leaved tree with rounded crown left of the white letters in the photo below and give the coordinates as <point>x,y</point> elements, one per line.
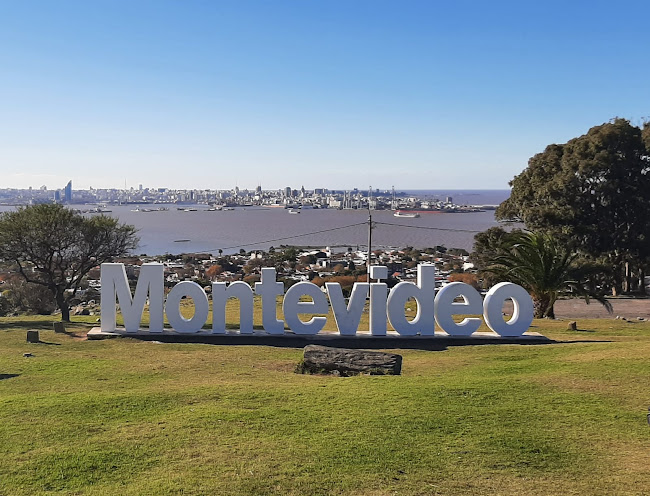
<point>55,247</point>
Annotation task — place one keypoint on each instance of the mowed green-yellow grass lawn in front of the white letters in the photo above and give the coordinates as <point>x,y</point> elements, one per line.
<point>129,417</point>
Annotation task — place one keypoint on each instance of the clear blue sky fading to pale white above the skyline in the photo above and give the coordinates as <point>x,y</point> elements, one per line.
<point>337,94</point>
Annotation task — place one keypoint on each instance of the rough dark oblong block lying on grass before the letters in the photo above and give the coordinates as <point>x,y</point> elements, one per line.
<point>346,361</point>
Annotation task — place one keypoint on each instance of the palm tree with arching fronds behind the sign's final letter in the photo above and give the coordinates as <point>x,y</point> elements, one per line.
<point>545,267</point>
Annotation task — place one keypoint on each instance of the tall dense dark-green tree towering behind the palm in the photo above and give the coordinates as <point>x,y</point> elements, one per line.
<point>592,191</point>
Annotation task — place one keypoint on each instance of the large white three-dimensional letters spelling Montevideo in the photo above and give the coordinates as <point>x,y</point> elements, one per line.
<point>435,308</point>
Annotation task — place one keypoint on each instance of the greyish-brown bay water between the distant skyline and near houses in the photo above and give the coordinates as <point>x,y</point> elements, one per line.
<point>176,231</point>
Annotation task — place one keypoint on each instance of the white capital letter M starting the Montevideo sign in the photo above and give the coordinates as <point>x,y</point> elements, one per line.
<point>115,283</point>
